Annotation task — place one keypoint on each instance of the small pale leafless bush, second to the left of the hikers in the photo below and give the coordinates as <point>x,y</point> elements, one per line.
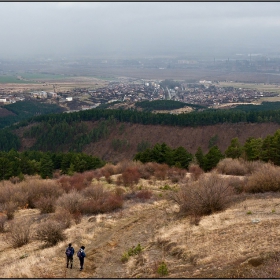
<point>19,233</point>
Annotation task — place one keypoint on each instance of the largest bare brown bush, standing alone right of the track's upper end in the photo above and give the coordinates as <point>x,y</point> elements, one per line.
<point>203,197</point>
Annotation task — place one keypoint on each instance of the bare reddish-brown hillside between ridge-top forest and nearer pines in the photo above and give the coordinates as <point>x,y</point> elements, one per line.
<point>129,136</point>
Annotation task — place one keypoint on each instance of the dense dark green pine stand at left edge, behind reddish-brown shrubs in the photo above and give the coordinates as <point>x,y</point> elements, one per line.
<point>18,164</point>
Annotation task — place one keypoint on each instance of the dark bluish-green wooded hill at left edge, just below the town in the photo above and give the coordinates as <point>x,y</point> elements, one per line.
<point>26,109</point>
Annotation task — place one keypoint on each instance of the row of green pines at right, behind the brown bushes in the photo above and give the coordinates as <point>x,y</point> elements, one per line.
<point>267,150</point>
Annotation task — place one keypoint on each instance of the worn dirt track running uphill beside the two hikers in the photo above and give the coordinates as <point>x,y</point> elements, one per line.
<point>135,225</point>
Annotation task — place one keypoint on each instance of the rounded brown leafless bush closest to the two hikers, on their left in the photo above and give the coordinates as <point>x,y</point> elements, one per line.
<point>50,232</point>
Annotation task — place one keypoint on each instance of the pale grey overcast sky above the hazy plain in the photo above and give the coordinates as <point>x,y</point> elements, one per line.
<point>137,28</point>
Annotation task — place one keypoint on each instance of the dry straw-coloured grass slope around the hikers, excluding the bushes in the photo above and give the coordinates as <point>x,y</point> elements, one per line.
<point>238,242</point>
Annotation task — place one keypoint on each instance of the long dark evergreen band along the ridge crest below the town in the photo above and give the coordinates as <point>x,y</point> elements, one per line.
<point>207,117</point>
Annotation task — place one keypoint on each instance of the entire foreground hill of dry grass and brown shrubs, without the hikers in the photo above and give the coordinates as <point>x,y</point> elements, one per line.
<point>223,229</point>
